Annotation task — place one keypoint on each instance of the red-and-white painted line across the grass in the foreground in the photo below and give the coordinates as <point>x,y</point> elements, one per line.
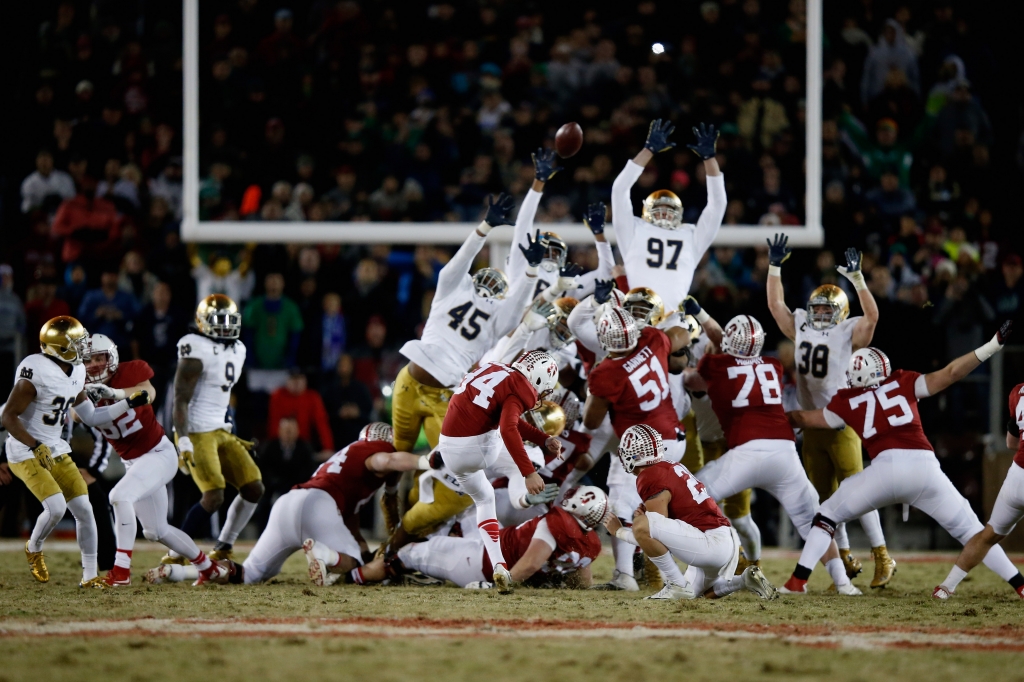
<point>861,640</point>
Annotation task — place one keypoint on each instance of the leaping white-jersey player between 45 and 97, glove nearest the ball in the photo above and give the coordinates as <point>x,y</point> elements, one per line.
<point>557,250</point>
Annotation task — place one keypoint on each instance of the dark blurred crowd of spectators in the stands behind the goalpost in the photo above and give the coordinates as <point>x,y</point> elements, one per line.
<point>372,111</point>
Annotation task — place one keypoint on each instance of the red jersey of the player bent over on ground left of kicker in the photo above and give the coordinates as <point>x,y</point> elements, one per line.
<point>346,477</point>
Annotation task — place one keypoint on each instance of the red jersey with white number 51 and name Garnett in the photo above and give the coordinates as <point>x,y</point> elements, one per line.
<point>637,386</point>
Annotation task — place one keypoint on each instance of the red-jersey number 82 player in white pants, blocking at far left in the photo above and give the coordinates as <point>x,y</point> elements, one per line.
<point>150,459</point>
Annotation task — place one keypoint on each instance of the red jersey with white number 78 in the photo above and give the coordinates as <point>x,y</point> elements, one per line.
<point>747,397</point>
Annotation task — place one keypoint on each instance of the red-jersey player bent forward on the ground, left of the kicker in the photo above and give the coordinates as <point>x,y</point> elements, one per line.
<point>319,517</point>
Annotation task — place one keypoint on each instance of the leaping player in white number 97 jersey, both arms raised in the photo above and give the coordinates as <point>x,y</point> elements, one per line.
<point>659,250</point>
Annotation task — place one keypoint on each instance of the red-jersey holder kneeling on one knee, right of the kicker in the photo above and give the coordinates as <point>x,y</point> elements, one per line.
<point>678,519</point>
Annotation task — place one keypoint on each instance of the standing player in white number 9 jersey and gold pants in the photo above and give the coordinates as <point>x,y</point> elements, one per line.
<point>210,360</point>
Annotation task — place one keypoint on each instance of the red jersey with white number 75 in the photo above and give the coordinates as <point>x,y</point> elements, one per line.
<point>885,416</point>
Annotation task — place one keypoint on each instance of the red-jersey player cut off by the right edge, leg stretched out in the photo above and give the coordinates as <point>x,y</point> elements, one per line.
<point>1007,513</point>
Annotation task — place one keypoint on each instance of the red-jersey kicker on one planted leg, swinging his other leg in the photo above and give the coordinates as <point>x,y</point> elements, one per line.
<point>488,406</point>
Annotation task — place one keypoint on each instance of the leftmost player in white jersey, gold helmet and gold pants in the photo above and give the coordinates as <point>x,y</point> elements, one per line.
<point>48,387</point>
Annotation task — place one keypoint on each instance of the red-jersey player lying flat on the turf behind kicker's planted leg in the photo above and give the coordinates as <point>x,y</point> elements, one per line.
<point>562,542</point>
